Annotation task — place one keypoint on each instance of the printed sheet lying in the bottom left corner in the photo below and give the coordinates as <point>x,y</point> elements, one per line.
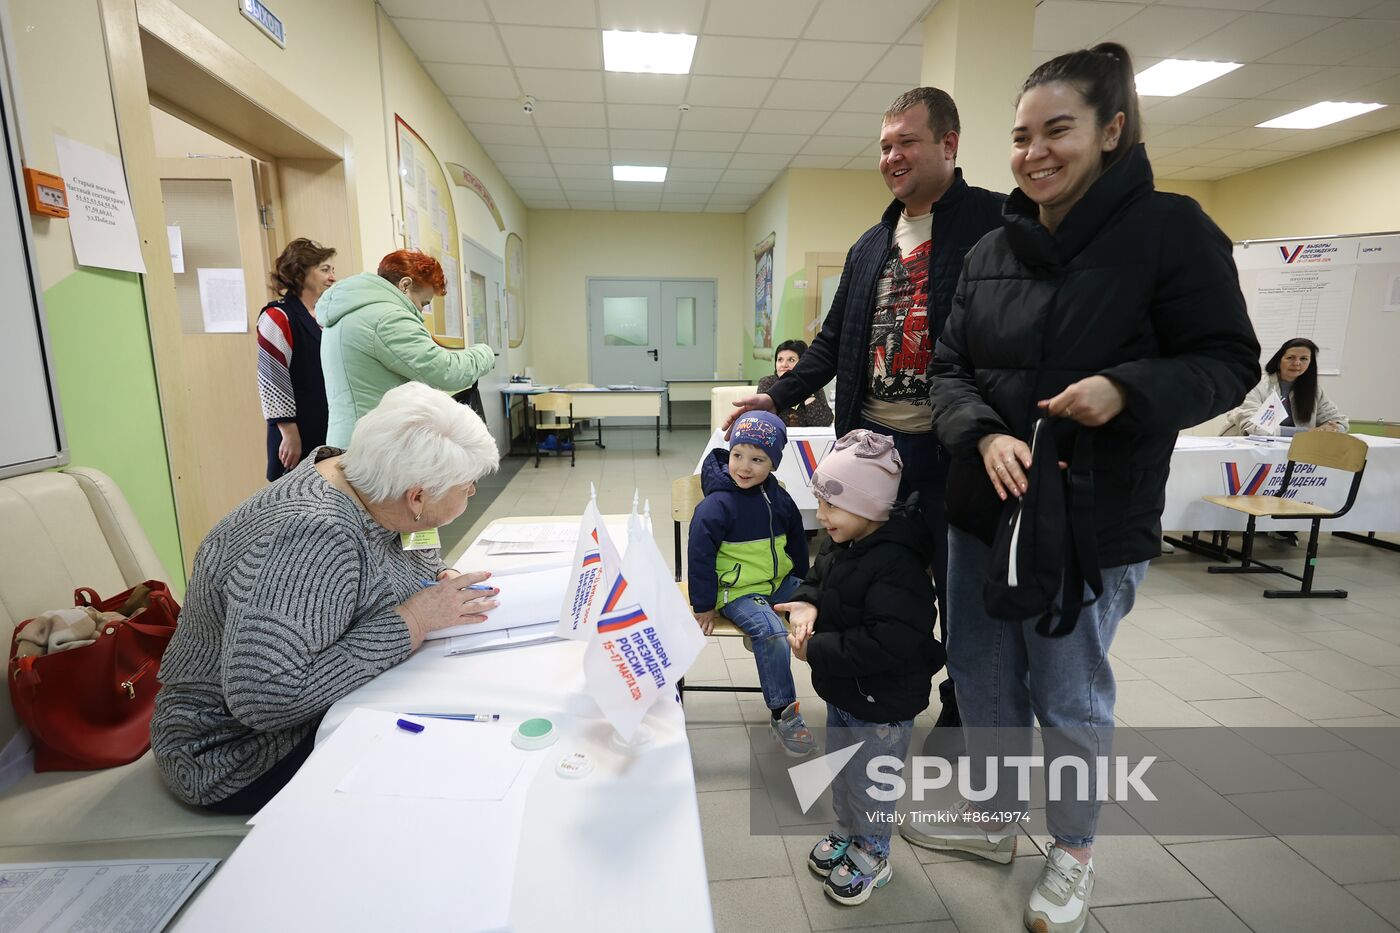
<point>132,896</point>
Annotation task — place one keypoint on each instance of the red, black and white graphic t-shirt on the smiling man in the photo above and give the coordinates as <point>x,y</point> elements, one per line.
<point>901,350</point>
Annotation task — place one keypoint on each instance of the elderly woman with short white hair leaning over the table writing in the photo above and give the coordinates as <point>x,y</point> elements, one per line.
<point>309,589</point>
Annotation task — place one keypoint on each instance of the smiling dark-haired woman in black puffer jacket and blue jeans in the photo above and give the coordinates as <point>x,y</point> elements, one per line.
<point>1111,306</point>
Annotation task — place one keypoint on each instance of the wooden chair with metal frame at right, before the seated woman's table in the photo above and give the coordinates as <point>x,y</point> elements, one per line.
<point>1317,449</point>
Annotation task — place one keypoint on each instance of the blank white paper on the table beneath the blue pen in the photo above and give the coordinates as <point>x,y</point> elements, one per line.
<point>449,760</point>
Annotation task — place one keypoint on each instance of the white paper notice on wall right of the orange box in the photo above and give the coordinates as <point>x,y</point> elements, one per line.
<point>101,221</point>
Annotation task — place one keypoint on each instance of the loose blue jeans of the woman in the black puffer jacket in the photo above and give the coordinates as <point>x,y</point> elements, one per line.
<point>1006,673</point>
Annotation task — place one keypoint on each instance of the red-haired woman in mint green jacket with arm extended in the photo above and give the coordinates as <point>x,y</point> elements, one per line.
<point>374,340</point>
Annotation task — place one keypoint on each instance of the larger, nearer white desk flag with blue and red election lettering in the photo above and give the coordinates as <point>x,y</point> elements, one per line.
<point>646,637</point>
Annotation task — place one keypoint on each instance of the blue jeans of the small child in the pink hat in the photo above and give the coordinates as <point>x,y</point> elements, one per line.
<point>849,796</point>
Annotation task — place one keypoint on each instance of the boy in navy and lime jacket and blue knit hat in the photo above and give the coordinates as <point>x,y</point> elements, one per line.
<point>748,551</point>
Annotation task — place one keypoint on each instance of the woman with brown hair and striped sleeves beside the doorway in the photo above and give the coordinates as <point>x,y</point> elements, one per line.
<point>290,385</point>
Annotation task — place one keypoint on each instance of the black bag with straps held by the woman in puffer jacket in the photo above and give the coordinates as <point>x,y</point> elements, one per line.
<point>1045,550</point>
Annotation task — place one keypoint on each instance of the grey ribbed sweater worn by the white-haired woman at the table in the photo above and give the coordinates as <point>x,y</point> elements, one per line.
<point>290,609</point>
